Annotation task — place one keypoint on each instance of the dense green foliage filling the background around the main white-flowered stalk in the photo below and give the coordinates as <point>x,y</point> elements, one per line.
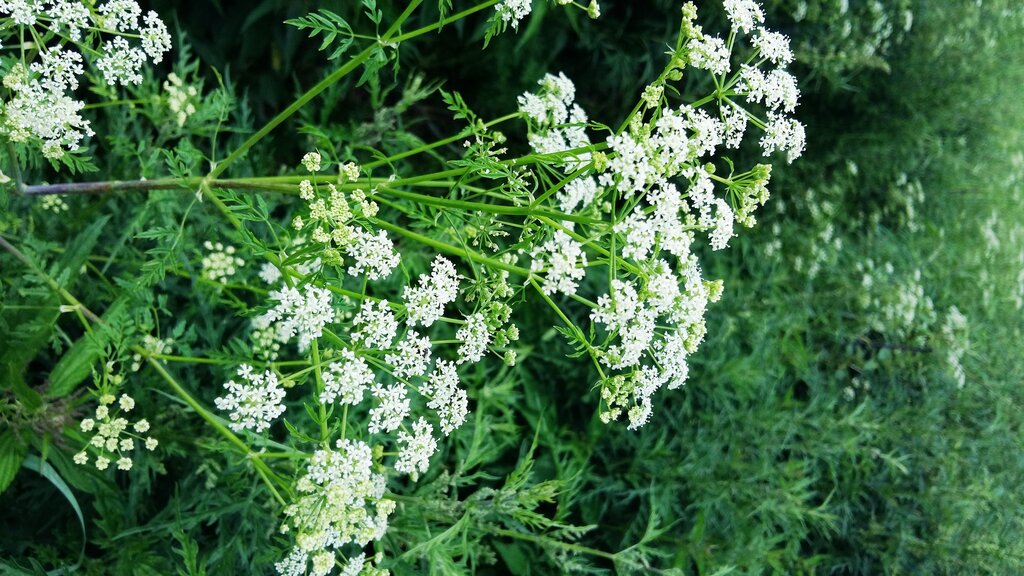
<point>857,406</point>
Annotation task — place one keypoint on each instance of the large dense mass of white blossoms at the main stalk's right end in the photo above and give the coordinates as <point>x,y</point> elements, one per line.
<point>660,186</point>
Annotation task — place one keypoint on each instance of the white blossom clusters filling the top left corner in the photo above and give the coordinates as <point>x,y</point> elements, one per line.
<point>114,36</point>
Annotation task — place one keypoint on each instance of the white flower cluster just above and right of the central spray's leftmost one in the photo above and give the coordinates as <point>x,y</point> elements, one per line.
<point>300,313</point>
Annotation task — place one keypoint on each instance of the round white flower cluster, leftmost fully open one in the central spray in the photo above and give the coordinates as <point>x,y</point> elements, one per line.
<point>255,403</point>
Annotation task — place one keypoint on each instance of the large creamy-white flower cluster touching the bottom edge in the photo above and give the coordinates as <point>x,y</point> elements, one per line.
<point>342,502</point>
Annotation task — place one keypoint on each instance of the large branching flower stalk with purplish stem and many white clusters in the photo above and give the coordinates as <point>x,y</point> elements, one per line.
<point>383,287</point>
